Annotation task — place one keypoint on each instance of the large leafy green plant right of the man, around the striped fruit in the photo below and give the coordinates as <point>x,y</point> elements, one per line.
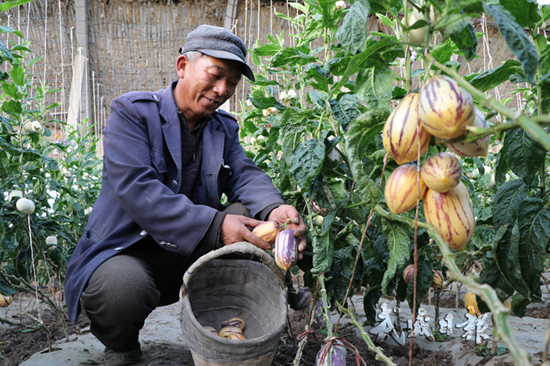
<point>323,148</point>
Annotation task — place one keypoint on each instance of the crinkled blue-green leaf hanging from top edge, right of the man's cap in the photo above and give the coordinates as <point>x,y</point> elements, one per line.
<point>353,32</point>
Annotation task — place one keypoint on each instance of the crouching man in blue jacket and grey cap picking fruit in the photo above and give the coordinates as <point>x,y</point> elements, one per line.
<point>168,158</point>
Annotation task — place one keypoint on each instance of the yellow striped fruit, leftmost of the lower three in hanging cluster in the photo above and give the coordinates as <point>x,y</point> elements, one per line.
<point>401,189</point>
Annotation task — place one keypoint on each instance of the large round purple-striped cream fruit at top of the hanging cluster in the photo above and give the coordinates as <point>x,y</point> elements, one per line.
<point>445,109</point>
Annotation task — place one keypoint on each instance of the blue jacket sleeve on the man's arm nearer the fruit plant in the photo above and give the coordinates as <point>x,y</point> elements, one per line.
<point>249,184</point>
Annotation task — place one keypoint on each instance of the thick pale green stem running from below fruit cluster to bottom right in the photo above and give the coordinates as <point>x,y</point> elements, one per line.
<point>486,292</point>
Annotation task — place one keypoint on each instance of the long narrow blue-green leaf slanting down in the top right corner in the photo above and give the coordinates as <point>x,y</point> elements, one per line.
<point>516,39</point>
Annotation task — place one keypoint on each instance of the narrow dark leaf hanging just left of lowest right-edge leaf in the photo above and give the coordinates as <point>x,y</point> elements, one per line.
<point>507,258</point>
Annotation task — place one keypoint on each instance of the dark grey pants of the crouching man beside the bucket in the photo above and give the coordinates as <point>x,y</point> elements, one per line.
<point>126,288</point>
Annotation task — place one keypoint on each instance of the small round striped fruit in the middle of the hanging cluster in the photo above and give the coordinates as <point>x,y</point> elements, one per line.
<point>441,172</point>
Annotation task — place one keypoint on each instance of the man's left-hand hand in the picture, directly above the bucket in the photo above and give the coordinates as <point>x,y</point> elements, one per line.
<point>234,229</point>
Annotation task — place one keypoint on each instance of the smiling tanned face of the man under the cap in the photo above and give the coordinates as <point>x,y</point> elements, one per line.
<point>205,84</point>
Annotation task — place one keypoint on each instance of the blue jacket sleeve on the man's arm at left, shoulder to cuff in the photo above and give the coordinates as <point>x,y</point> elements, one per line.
<point>134,170</point>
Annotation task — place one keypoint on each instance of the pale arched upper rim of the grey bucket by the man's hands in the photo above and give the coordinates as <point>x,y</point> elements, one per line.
<point>240,247</point>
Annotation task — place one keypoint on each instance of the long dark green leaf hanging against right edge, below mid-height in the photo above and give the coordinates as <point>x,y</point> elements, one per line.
<point>534,227</point>
